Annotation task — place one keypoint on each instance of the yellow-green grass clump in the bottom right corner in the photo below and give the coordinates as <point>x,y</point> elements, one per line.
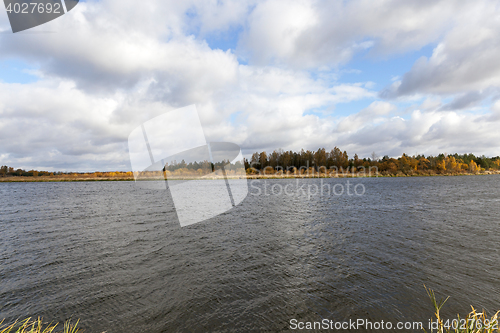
<point>474,322</point>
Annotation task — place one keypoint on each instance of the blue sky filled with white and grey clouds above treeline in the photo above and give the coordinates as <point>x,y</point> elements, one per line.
<point>383,76</point>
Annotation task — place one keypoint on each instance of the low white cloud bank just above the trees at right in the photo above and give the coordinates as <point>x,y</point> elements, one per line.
<point>428,133</point>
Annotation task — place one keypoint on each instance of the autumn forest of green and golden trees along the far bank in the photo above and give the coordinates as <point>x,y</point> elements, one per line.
<point>306,162</point>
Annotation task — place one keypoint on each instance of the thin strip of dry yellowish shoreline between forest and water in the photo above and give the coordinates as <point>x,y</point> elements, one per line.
<point>70,178</point>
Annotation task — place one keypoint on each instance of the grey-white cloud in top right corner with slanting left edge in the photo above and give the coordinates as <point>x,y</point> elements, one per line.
<point>465,61</point>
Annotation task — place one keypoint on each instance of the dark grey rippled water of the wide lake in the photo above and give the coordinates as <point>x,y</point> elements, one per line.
<point>114,255</point>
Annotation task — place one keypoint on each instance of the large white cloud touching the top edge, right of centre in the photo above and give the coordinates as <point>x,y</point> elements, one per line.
<point>318,33</point>
